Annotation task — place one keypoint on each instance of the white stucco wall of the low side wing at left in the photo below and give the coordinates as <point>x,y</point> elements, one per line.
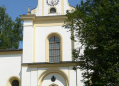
<point>10,66</point>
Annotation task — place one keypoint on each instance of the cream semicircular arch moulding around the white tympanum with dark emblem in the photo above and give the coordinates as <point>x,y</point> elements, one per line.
<point>53,70</point>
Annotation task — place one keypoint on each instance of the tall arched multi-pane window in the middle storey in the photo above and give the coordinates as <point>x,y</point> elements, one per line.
<point>54,49</point>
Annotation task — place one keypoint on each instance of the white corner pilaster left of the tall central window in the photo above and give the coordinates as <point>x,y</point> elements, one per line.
<point>28,41</point>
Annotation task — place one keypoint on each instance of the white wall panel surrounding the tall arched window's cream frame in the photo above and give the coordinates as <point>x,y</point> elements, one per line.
<point>40,36</point>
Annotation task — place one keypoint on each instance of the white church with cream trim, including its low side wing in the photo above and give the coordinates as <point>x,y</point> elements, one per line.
<point>46,58</point>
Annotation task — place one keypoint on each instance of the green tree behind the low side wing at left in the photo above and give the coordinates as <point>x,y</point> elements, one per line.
<point>10,31</point>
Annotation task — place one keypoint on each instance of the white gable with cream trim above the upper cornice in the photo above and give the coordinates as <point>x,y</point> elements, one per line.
<point>44,6</point>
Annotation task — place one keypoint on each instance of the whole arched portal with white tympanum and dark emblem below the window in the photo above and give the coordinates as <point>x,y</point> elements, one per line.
<point>48,74</point>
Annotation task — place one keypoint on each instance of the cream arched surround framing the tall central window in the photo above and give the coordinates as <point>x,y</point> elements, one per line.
<point>47,45</point>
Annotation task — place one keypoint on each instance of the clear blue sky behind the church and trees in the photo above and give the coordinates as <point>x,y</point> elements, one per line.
<point>20,7</point>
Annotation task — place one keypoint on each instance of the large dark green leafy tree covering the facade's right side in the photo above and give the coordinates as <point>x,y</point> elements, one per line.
<point>96,26</point>
